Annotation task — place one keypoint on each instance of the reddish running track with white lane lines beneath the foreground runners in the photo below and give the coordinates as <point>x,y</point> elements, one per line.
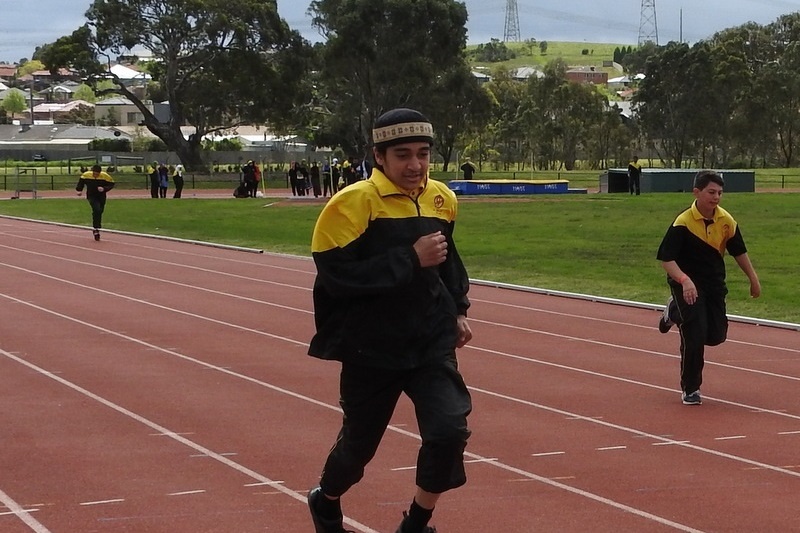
<point>157,386</point>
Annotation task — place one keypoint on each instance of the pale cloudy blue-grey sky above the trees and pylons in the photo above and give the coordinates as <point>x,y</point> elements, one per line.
<point>24,24</point>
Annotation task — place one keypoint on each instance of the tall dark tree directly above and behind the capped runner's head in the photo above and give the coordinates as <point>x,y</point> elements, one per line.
<point>382,54</point>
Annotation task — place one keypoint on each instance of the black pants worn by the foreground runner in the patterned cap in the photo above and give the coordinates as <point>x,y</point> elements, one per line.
<point>368,399</point>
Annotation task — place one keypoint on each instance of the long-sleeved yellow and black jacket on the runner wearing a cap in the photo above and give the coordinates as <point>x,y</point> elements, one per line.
<point>374,304</point>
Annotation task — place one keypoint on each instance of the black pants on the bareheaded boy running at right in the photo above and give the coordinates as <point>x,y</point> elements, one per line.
<point>704,323</point>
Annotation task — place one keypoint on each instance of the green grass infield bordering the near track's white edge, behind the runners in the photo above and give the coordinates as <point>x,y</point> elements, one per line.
<point>597,244</point>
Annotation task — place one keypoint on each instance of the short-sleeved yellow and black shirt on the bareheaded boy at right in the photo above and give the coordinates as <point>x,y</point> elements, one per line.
<point>698,246</point>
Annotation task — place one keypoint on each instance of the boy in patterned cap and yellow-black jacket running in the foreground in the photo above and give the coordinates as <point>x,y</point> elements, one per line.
<point>390,303</point>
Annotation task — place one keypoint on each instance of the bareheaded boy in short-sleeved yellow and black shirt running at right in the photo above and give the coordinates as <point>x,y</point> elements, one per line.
<point>692,255</point>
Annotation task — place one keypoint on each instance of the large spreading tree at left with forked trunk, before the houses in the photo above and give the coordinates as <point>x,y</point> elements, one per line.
<point>220,64</point>
